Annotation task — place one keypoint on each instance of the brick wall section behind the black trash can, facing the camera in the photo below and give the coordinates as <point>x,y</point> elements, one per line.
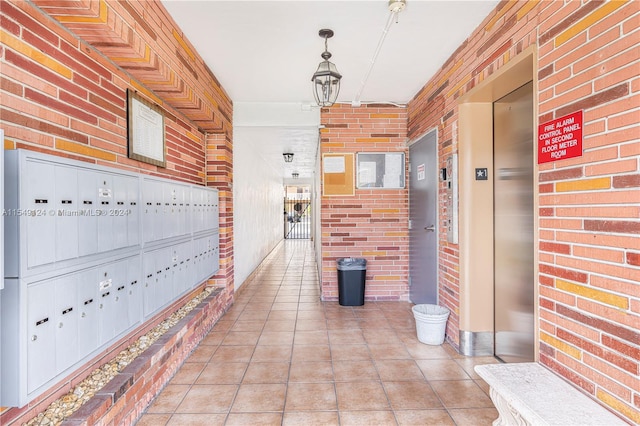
<point>372,224</point>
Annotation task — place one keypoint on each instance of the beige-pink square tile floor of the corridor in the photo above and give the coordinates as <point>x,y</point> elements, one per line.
<point>279,356</point>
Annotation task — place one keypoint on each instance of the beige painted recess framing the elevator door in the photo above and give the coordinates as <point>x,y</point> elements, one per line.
<point>476,197</point>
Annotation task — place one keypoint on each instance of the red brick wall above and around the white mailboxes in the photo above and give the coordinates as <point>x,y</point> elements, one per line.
<point>60,96</point>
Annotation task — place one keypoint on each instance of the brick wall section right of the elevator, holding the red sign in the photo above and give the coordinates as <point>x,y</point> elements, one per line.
<point>590,206</point>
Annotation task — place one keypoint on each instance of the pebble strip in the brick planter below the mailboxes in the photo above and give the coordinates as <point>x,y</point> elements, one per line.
<point>68,404</point>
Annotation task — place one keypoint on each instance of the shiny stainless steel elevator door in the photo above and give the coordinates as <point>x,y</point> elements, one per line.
<point>513,226</point>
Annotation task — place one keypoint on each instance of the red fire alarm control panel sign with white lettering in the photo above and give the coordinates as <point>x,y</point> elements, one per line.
<point>560,138</point>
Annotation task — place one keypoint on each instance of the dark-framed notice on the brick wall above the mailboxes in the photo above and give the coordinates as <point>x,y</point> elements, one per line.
<point>145,122</point>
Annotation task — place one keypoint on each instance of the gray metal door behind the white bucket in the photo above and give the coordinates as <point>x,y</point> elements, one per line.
<point>423,233</point>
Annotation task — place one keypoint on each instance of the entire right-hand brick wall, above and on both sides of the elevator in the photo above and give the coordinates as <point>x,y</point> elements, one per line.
<point>589,251</point>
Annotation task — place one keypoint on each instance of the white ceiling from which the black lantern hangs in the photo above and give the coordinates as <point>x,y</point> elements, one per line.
<point>266,51</point>
